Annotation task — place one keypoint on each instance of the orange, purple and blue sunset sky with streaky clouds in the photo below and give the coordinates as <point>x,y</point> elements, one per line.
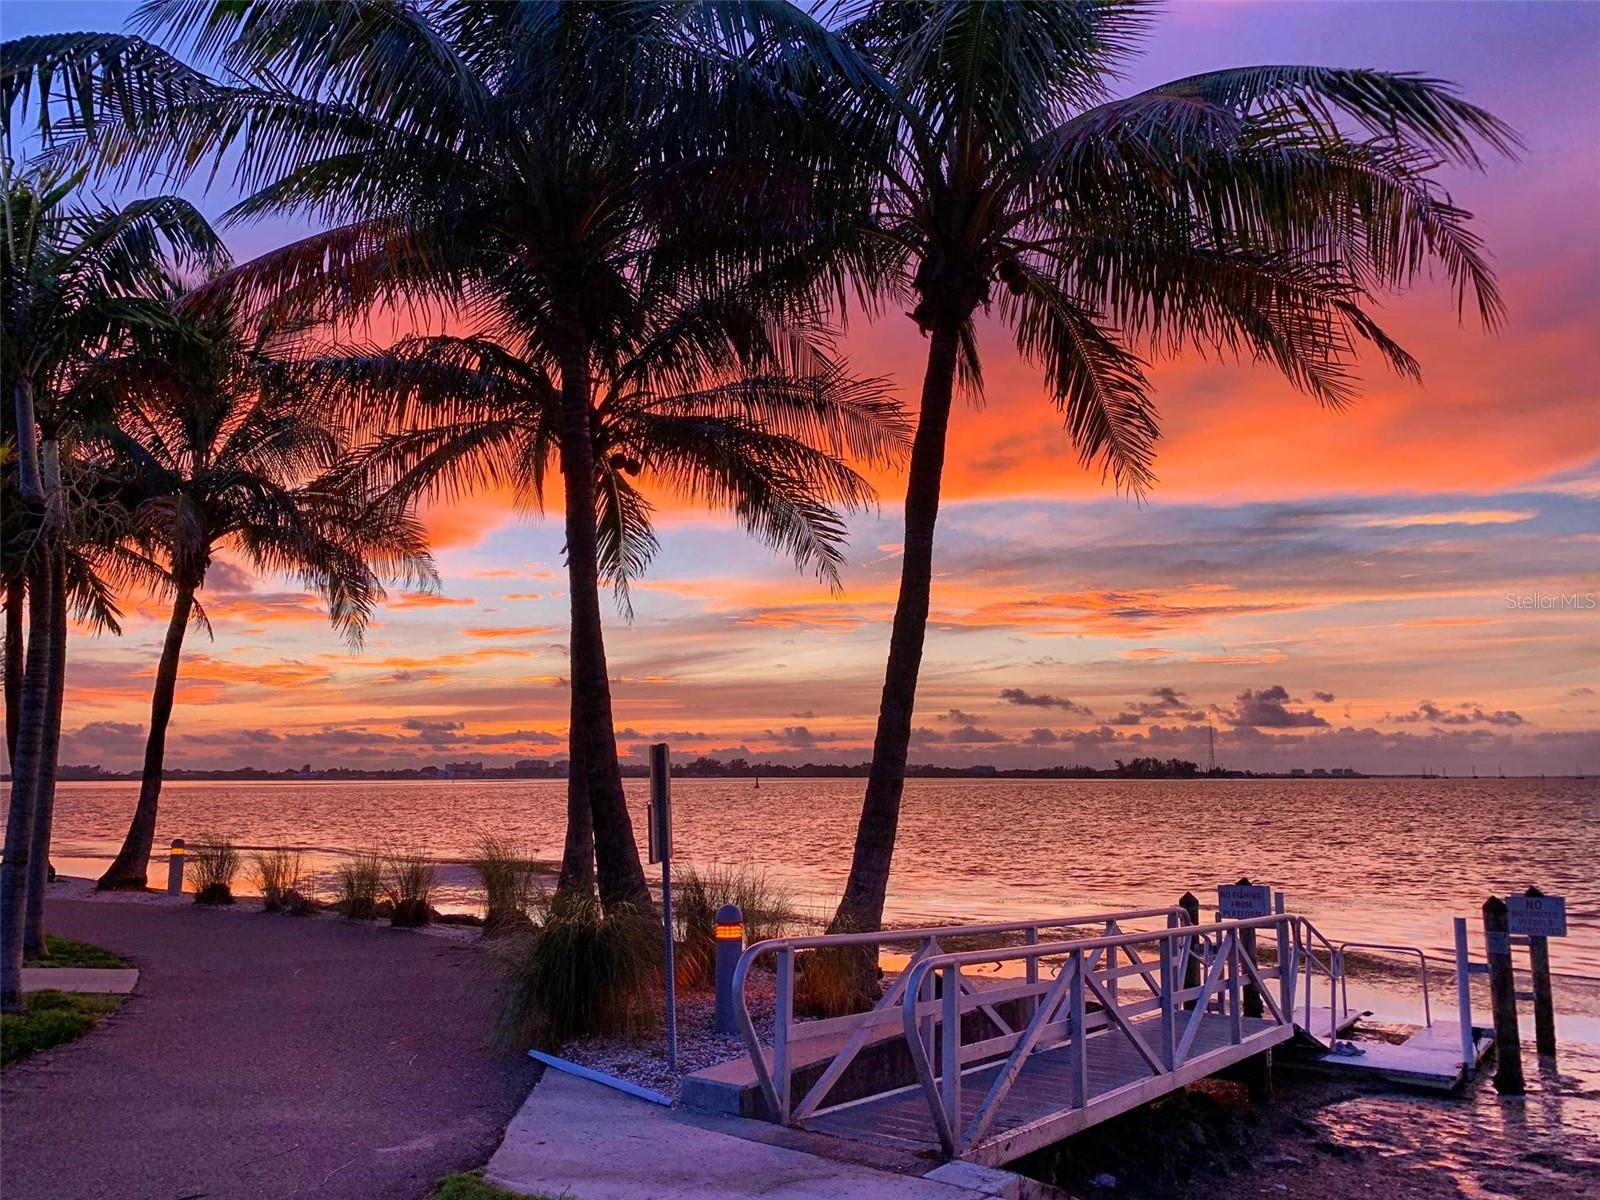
<point>1327,590</point>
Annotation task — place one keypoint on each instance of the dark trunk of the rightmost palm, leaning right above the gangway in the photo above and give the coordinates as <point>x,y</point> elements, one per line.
<point>862,906</point>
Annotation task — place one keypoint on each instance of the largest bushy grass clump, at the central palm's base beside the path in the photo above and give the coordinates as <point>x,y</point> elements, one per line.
<point>582,972</point>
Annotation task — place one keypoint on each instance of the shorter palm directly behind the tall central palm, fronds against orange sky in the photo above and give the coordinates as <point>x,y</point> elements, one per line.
<point>706,401</point>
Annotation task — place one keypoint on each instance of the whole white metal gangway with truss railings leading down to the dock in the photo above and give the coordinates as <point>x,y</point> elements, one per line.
<point>1020,1046</point>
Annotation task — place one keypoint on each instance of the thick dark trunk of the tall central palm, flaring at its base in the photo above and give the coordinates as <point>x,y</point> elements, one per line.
<point>618,870</point>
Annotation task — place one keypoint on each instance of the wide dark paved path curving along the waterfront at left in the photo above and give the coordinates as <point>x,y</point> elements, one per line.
<point>263,1057</point>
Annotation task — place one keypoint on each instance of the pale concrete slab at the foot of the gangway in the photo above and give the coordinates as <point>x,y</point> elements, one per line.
<point>586,1142</point>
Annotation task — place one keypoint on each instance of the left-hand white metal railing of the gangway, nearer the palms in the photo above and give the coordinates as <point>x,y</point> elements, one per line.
<point>775,1079</point>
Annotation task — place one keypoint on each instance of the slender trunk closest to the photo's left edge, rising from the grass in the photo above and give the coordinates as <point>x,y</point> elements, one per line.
<point>25,777</point>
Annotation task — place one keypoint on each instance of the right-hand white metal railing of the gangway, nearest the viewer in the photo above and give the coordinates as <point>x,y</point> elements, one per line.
<point>1070,990</point>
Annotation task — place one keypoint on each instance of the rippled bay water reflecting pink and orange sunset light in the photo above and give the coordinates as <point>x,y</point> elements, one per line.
<point>1380,860</point>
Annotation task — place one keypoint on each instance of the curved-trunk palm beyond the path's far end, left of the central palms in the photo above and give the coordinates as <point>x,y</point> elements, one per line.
<point>217,446</point>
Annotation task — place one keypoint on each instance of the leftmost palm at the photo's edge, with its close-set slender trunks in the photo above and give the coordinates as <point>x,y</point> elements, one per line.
<point>76,281</point>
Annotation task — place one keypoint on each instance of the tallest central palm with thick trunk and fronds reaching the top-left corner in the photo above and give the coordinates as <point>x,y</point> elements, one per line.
<point>470,156</point>
